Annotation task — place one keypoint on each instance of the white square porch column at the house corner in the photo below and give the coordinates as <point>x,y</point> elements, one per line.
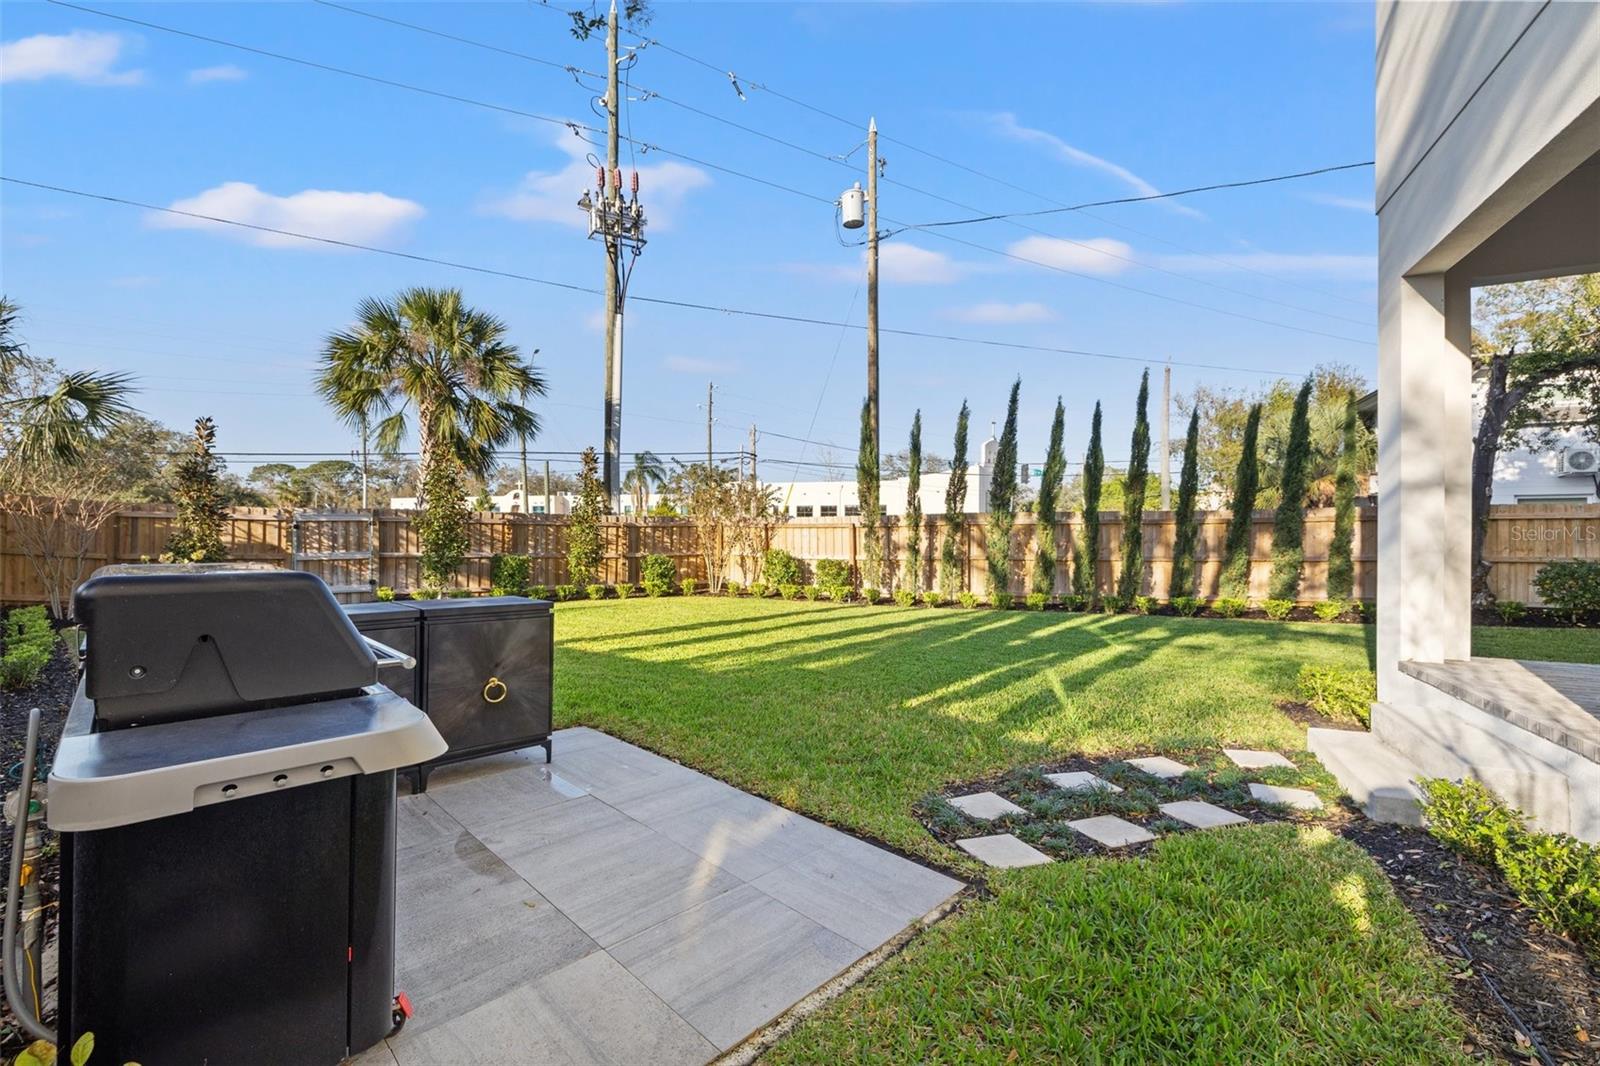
<point>1425,459</point>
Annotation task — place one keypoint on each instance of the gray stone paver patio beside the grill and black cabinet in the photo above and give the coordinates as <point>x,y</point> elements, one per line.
<point>620,908</point>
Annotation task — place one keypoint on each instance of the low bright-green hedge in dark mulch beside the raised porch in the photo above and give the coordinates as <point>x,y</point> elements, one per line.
<point>1554,875</point>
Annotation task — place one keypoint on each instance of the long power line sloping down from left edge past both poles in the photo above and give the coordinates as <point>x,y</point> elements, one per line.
<point>662,302</point>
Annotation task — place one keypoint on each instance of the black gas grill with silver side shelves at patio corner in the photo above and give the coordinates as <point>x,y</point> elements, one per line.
<point>226,796</point>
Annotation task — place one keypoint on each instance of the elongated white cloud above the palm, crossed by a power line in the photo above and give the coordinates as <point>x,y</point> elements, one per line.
<point>358,217</point>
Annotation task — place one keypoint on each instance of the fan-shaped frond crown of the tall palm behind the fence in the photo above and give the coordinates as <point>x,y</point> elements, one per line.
<point>428,358</point>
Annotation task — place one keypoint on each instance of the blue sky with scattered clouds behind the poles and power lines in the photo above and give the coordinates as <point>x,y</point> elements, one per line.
<point>1070,102</point>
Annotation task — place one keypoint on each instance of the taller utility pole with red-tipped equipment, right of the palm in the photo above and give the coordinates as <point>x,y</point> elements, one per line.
<point>622,226</point>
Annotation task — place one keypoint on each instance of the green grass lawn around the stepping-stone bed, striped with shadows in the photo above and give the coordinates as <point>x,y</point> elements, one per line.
<point>1274,944</point>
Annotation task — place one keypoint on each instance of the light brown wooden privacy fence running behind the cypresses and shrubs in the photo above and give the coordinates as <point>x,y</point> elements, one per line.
<point>359,551</point>
